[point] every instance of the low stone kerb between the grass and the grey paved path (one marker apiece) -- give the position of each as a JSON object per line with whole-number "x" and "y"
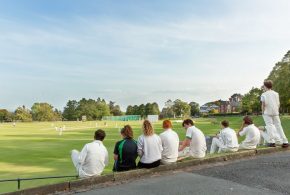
{"x": 123, "y": 176}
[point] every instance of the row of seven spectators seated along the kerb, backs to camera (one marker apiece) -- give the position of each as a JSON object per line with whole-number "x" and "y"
{"x": 165, "y": 149}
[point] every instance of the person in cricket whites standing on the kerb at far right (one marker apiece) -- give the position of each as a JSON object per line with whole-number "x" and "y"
{"x": 270, "y": 109}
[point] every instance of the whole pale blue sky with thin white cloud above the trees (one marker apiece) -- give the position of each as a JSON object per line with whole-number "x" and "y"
{"x": 134, "y": 52}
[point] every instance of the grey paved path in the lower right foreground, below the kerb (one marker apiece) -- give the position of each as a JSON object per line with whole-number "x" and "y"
{"x": 269, "y": 174}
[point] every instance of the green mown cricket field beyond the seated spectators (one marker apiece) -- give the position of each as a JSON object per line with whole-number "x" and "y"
{"x": 36, "y": 149}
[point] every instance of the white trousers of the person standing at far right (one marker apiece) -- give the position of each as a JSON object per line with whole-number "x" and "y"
{"x": 274, "y": 128}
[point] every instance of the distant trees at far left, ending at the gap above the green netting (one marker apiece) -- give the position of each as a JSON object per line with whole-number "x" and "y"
{"x": 74, "y": 110}
